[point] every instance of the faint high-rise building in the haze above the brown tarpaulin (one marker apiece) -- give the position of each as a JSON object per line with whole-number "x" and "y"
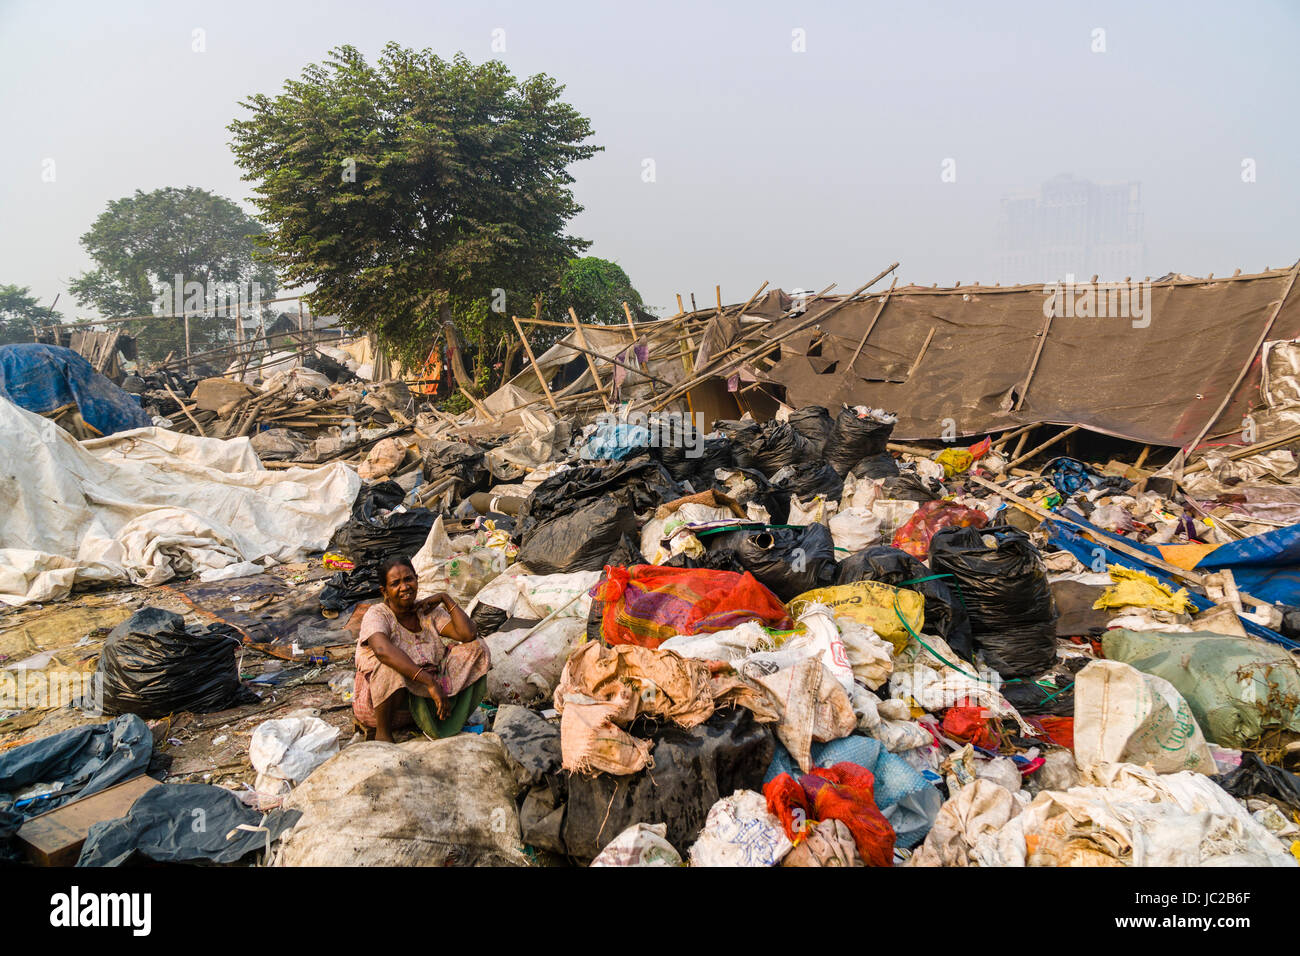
{"x": 1072, "y": 227}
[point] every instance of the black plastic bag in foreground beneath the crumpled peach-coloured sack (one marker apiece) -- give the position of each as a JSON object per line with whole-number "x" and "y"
{"x": 578, "y": 815}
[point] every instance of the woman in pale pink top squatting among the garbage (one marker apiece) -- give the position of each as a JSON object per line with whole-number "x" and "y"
{"x": 405, "y": 672}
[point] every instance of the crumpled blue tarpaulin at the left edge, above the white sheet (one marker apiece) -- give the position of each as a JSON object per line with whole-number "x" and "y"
{"x": 44, "y": 378}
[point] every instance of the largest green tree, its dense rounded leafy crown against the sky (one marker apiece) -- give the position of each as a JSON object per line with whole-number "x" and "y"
{"x": 410, "y": 192}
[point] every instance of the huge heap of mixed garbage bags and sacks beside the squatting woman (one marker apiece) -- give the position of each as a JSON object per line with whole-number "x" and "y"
{"x": 787, "y": 643}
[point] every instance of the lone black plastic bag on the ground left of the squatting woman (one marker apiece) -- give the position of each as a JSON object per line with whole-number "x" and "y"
{"x": 153, "y": 667}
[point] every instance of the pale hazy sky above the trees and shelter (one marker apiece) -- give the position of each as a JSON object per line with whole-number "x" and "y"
{"x": 799, "y": 168}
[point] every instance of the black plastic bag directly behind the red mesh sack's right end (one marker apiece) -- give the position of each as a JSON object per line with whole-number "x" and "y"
{"x": 786, "y": 561}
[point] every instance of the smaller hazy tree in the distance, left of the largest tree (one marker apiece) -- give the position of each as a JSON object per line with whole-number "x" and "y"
{"x": 142, "y": 243}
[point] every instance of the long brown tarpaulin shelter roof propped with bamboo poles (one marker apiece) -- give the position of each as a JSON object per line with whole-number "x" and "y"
{"x": 1158, "y": 384}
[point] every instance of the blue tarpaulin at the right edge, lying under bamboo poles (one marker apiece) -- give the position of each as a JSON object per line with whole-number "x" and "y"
{"x": 1280, "y": 581}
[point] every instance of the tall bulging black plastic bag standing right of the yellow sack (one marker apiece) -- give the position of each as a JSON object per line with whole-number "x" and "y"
{"x": 1006, "y": 591}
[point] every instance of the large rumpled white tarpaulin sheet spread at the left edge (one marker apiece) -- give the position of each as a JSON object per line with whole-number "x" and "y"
{"x": 148, "y": 505}
